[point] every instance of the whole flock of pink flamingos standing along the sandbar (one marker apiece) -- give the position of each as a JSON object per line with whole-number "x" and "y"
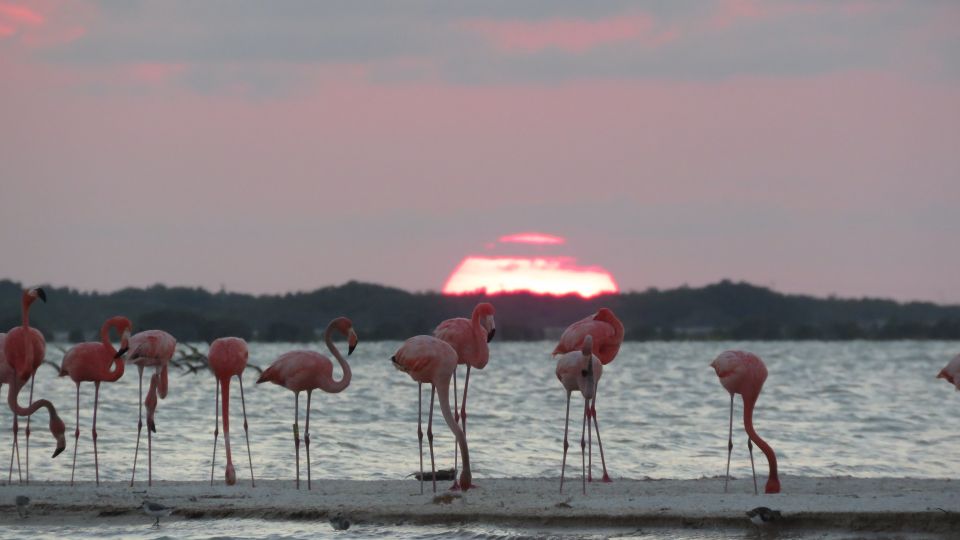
{"x": 585, "y": 347}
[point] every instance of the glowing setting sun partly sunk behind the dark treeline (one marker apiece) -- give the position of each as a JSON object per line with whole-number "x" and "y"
{"x": 538, "y": 274}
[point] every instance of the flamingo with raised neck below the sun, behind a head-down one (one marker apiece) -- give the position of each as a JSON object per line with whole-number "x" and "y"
{"x": 469, "y": 337}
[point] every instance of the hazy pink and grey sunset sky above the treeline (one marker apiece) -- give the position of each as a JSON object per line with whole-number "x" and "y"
{"x": 813, "y": 147}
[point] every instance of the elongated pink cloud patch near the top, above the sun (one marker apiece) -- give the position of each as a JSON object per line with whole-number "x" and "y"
{"x": 570, "y": 35}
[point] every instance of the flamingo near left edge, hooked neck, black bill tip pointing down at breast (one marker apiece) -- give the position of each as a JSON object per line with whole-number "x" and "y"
{"x": 95, "y": 362}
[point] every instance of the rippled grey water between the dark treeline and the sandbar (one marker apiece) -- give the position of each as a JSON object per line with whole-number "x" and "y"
{"x": 854, "y": 408}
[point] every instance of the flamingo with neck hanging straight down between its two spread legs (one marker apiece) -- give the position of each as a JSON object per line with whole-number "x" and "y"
{"x": 228, "y": 358}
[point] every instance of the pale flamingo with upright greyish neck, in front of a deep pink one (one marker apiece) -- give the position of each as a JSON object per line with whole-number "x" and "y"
{"x": 579, "y": 370}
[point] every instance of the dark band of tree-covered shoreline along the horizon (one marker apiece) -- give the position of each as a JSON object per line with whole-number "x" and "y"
{"x": 721, "y": 311}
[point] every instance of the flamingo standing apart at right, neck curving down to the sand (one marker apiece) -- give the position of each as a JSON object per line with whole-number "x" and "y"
{"x": 744, "y": 373}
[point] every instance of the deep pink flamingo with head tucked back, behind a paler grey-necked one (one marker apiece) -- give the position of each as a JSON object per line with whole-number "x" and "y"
{"x": 607, "y": 332}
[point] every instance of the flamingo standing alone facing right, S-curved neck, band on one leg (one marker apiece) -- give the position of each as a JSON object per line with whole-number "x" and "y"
{"x": 309, "y": 370}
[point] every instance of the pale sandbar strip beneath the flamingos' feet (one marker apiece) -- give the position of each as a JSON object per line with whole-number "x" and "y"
{"x": 855, "y": 504}
